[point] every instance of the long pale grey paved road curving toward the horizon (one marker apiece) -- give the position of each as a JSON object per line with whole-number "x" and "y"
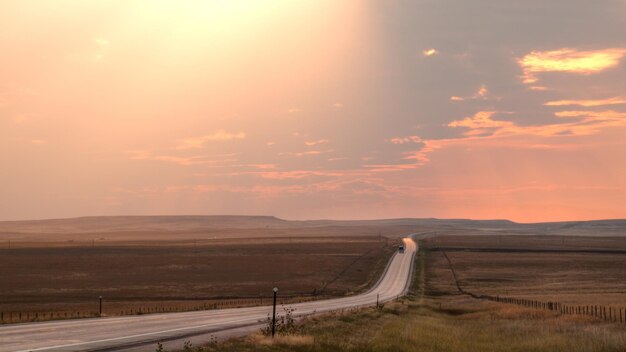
{"x": 121, "y": 333}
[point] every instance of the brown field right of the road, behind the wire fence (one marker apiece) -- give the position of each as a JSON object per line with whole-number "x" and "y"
{"x": 570, "y": 270}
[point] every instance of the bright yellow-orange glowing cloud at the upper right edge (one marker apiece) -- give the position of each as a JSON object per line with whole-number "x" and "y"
{"x": 569, "y": 60}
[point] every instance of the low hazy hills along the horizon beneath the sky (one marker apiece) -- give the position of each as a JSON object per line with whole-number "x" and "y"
{"x": 110, "y": 224}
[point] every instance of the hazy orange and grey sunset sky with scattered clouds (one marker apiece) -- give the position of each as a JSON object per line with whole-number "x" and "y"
{"x": 485, "y": 109}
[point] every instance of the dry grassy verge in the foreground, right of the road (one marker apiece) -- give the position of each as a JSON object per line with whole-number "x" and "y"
{"x": 436, "y": 317}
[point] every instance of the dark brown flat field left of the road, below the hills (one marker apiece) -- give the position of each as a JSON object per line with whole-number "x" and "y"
{"x": 188, "y": 274}
